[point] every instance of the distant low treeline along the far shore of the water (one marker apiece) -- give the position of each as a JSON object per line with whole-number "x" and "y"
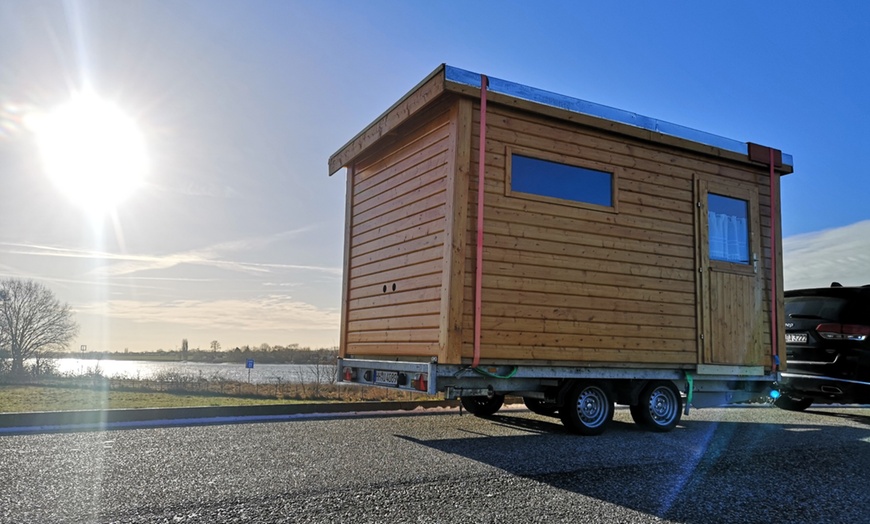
{"x": 264, "y": 354}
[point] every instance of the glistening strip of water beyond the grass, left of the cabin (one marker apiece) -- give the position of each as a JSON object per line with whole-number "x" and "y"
{"x": 150, "y": 370}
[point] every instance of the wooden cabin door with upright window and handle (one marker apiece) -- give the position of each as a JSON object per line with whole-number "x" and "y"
{"x": 731, "y": 285}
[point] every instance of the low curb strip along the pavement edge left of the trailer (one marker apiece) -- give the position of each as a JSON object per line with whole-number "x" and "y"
{"x": 60, "y": 419}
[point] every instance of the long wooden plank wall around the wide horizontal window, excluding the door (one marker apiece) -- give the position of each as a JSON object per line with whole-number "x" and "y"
{"x": 564, "y": 283}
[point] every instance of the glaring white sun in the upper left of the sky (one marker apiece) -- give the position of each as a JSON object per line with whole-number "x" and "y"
{"x": 93, "y": 152}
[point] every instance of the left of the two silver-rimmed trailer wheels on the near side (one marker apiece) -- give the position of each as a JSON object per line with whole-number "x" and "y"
{"x": 588, "y": 408}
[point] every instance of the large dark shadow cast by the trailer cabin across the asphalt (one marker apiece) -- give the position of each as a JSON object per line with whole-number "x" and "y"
{"x": 701, "y": 472}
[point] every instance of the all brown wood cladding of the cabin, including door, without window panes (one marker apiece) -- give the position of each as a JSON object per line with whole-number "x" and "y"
{"x": 626, "y": 284}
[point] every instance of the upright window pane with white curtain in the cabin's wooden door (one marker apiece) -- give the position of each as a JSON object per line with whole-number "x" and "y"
{"x": 728, "y": 224}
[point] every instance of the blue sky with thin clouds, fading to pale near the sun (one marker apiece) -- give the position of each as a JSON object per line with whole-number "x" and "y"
{"x": 236, "y": 232}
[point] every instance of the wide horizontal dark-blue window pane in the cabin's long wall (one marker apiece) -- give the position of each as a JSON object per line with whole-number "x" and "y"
{"x": 551, "y": 179}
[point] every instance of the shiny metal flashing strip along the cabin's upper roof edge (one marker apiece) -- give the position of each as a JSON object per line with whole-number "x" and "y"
{"x": 539, "y": 96}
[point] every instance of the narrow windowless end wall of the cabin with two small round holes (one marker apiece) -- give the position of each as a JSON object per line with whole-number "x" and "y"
{"x": 396, "y": 224}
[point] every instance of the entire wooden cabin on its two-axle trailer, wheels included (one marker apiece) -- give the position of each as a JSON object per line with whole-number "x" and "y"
{"x": 501, "y": 239}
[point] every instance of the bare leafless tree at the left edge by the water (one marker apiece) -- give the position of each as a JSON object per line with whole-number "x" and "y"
{"x": 32, "y": 320}
